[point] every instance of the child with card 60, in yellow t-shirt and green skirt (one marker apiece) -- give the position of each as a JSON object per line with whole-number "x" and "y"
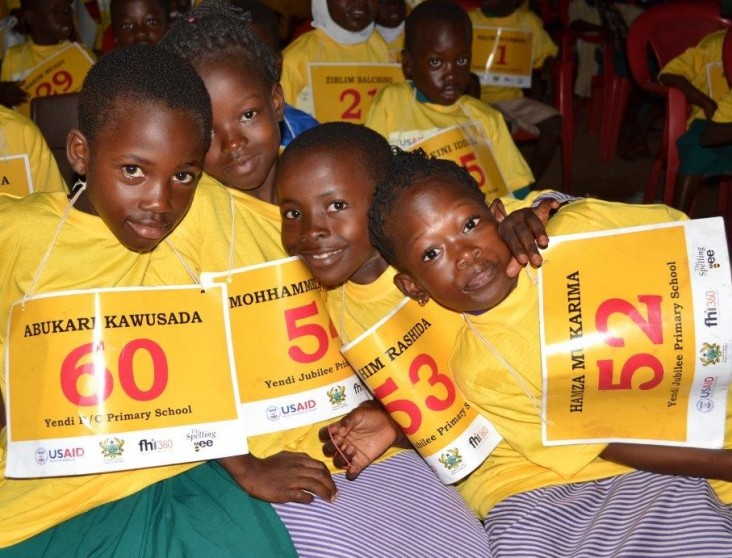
{"x": 144, "y": 127}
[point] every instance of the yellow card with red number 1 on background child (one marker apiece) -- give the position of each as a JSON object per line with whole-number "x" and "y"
{"x": 502, "y": 57}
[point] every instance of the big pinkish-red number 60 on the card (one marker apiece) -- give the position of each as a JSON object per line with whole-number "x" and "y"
{"x": 71, "y": 371}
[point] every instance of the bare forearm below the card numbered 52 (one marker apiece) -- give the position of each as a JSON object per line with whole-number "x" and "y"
{"x": 670, "y": 460}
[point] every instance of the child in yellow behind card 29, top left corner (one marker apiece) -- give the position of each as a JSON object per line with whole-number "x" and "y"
{"x": 50, "y": 24}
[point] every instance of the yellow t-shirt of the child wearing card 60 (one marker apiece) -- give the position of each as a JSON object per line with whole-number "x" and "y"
{"x": 85, "y": 255}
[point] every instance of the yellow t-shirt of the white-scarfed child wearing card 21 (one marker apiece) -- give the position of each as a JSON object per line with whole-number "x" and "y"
{"x": 317, "y": 46}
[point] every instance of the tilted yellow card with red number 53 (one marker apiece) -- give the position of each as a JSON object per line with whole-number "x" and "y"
{"x": 403, "y": 360}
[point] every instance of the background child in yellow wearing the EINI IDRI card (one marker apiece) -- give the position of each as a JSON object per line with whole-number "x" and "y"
{"x": 436, "y": 60}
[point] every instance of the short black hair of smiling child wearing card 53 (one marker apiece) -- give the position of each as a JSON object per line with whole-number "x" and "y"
{"x": 374, "y": 152}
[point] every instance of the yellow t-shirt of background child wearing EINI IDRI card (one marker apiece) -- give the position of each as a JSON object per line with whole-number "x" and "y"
{"x": 402, "y": 120}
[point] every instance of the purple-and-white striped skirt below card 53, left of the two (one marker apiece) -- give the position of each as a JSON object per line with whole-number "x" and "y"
{"x": 396, "y": 508}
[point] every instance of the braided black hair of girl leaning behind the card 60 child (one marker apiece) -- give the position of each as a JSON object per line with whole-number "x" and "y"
{"x": 215, "y": 31}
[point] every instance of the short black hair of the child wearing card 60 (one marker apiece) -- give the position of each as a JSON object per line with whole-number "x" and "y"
{"x": 141, "y": 73}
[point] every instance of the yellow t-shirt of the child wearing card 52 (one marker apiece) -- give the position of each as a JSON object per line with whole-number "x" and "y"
{"x": 521, "y": 462}
